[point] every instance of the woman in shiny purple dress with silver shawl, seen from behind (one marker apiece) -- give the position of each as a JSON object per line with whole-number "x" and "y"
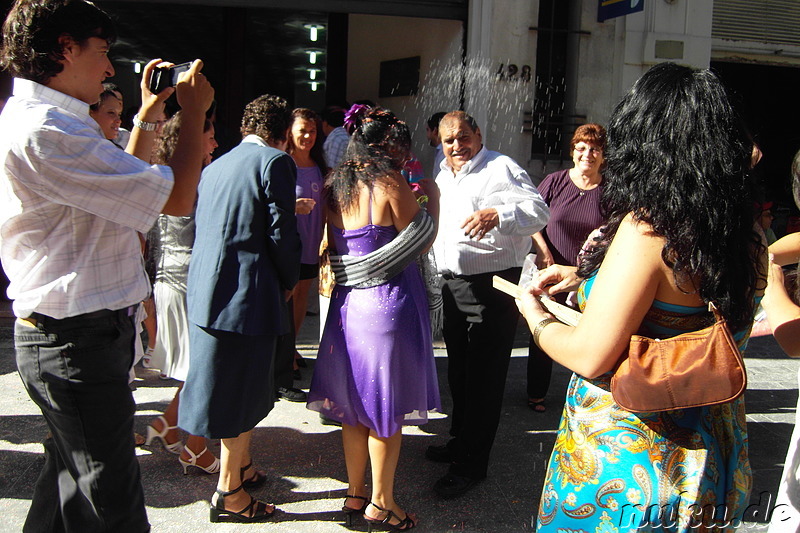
{"x": 375, "y": 369}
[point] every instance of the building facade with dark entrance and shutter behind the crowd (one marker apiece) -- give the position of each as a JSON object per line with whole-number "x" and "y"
{"x": 530, "y": 71}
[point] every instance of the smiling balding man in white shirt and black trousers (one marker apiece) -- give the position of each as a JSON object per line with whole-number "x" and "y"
{"x": 490, "y": 208}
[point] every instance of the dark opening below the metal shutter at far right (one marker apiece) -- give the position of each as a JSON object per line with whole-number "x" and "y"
{"x": 766, "y": 96}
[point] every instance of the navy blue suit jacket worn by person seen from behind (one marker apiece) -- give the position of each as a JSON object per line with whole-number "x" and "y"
{"x": 247, "y": 249}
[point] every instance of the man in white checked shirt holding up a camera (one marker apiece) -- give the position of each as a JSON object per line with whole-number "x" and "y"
{"x": 72, "y": 204}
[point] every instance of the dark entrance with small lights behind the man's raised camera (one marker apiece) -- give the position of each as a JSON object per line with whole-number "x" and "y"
{"x": 247, "y": 52}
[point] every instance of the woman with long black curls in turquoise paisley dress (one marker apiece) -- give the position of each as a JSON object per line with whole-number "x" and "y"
{"x": 680, "y": 234}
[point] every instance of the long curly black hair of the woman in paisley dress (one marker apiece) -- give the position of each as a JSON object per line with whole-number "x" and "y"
{"x": 679, "y": 159}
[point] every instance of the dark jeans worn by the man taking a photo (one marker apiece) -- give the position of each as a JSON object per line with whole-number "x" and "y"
{"x": 76, "y": 370}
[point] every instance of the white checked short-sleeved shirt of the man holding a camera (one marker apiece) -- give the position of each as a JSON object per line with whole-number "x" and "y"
{"x": 70, "y": 206}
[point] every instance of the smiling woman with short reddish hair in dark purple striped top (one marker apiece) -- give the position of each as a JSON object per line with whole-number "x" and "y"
{"x": 573, "y": 196}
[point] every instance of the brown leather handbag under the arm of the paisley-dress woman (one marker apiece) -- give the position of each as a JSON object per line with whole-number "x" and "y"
{"x": 690, "y": 370}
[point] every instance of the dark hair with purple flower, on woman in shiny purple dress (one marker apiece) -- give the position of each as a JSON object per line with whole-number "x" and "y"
{"x": 379, "y": 147}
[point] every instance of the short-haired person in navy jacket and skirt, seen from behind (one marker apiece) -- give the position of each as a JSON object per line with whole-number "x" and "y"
{"x": 246, "y": 259}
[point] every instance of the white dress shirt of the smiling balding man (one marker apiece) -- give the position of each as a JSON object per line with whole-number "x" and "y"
{"x": 487, "y": 180}
